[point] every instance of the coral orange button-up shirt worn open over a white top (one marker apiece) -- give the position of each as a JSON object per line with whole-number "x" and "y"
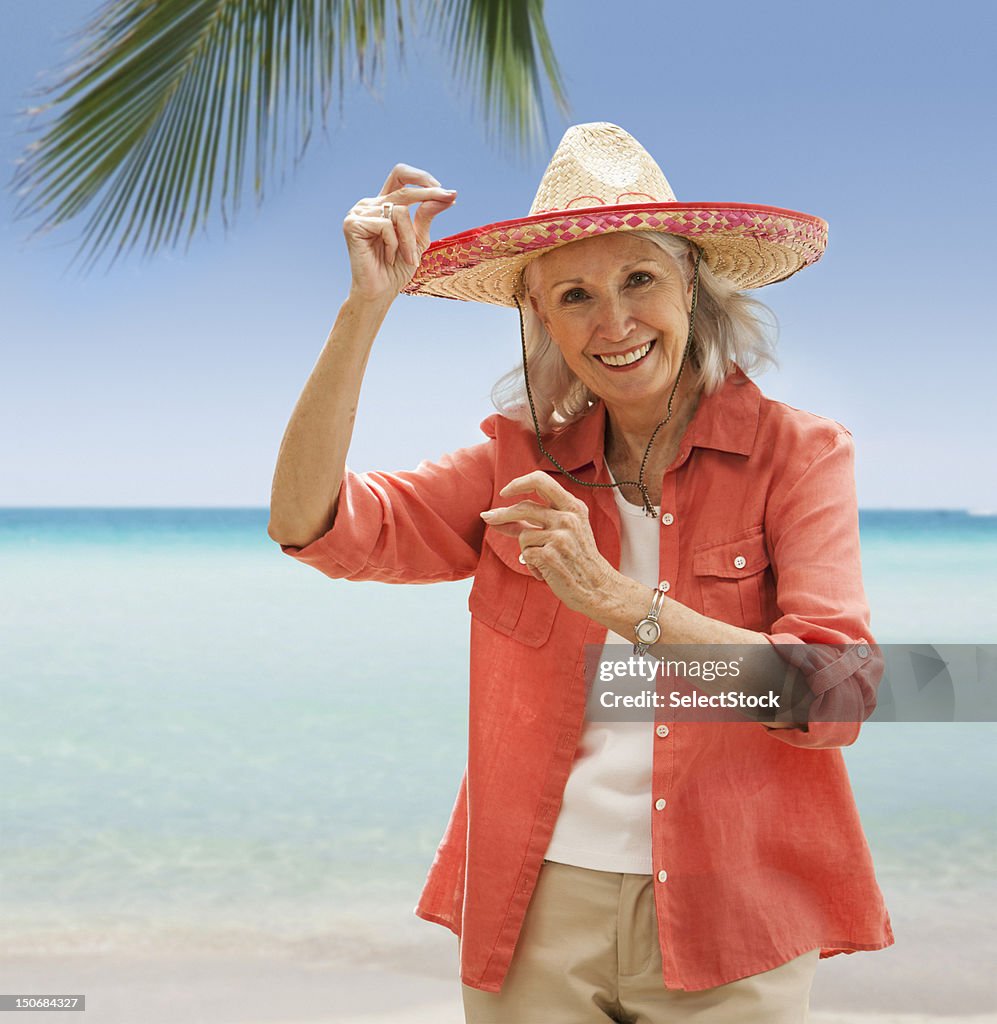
{"x": 759, "y": 854}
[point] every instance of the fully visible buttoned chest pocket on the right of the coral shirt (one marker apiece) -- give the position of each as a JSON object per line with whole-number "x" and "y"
{"x": 734, "y": 579}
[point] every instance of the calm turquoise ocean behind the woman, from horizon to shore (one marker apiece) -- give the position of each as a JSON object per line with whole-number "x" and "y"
{"x": 206, "y": 743}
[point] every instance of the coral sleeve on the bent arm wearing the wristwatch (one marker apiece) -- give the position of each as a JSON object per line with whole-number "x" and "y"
{"x": 823, "y": 630}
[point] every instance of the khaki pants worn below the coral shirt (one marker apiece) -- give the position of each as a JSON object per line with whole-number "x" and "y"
{"x": 589, "y": 953}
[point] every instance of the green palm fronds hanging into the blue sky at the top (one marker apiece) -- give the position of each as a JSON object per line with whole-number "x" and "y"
{"x": 154, "y": 124}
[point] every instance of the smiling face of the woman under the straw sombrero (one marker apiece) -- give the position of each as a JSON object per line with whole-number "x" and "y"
{"x": 618, "y": 308}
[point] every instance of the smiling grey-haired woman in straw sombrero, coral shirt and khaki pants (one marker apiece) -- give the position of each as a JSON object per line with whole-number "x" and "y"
{"x": 636, "y": 488}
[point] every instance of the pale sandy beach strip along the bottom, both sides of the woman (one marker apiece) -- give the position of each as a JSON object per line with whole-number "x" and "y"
{"x": 325, "y": 984}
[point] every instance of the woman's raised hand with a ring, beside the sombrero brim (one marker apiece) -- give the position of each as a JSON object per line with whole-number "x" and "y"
{"x": 385, "y": 253}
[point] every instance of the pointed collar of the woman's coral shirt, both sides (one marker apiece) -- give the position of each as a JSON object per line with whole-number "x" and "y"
{"x": 726, "y": 420}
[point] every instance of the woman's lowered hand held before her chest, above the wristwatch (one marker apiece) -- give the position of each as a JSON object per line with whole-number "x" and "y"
{"x": 556, "y": 539}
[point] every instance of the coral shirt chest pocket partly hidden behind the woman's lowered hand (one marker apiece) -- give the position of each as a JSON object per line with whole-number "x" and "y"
{"x": 508, "y": 598}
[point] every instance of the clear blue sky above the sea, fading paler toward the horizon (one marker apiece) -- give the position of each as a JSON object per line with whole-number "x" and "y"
{"x": 169, "y": 381}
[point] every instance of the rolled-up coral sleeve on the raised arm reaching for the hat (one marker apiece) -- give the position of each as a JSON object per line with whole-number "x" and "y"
{"x": 413, "y": 527}
